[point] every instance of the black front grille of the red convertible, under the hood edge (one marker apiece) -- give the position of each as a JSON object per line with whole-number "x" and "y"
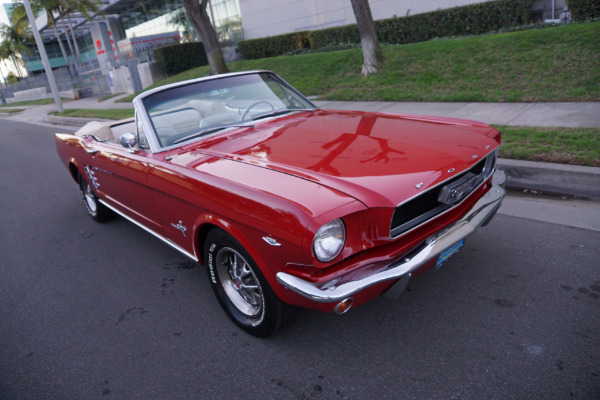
{"x": 422, "y": 208}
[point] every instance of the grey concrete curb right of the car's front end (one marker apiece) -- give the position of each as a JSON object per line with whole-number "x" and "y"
{"x": 562, "y": 179}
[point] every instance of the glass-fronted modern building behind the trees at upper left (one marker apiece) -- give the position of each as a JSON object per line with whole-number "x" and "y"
{"x": 128, "y": 19}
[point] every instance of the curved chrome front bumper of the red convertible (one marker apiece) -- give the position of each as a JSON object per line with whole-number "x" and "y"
{"x": 340, "y": 289}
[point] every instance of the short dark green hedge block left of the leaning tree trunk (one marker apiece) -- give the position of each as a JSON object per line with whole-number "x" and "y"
{"x": 177, "y": 58}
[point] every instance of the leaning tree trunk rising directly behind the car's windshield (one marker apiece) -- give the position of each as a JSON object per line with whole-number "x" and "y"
{"x": 196, "y": 12}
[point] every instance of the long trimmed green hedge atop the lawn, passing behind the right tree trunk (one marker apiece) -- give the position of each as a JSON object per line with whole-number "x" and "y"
{"x": 466, "y": 20}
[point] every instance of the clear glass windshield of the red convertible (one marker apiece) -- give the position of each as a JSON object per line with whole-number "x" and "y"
{"x": 198, "y": 109}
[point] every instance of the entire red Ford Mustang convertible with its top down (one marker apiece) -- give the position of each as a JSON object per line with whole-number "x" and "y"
{"x": 287, "y": 204}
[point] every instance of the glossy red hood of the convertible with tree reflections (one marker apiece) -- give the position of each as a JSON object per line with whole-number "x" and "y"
{"x": 379, "y": 159}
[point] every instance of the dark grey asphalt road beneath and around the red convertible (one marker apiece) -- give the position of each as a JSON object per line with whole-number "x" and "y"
{"x": 105, "y": 311}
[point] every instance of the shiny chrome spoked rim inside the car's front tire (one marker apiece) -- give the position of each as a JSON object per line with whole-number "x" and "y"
{"x": 239, "y": 282}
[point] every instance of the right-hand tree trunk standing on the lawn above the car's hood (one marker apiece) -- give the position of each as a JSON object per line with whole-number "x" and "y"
{"x": 372, "y": 55}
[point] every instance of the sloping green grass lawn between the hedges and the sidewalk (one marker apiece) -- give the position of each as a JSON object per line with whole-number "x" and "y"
{"x": 553, "y": 64}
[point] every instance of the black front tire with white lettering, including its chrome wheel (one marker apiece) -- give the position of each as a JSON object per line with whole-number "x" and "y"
{"x": 241, "y": 288}
